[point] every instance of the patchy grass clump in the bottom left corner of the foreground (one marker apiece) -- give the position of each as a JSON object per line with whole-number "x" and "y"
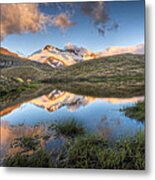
{"x": 31, "y": 154}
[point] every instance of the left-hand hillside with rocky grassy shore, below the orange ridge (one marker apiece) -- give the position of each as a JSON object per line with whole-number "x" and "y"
{"x": 18, "y": 74}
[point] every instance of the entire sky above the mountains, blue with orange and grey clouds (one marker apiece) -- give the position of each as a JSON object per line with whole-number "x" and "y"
{"x": 96, "y": 26}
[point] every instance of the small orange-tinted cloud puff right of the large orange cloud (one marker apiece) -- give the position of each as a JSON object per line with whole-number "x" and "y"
{"x": 62, "y": 21}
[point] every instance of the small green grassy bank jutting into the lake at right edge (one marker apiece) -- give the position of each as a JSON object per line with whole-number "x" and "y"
{"x": 136, "y": 112}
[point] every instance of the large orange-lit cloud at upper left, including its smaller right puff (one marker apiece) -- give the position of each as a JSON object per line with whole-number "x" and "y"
{"x": 24, "y": 18}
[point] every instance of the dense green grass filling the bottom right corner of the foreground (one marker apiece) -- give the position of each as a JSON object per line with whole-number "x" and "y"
{"x": 94, "y": 152}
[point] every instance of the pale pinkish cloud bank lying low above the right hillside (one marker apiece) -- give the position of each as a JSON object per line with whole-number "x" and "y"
{"x": 136, "y": 49}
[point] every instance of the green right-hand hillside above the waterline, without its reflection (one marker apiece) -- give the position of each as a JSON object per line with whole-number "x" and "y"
{"x": 125, "y": 66}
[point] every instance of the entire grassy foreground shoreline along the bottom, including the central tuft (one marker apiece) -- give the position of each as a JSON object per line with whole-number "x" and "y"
{"x": 80, "y": 150}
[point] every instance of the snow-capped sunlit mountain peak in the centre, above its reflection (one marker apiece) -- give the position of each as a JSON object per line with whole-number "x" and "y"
{"x": 57, "y": 58}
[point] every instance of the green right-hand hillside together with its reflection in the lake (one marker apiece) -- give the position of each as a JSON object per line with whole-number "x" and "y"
{"x": 120, "y": 75}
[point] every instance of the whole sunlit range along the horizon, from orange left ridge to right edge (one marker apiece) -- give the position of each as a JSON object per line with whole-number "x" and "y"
{"x": 71, "y": 54}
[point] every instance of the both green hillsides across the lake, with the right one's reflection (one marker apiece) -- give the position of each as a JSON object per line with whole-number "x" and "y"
{"x": 114, "y": 76}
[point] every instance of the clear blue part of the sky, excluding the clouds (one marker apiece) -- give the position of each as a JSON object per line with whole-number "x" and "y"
{"x": 129, "y": 15}
